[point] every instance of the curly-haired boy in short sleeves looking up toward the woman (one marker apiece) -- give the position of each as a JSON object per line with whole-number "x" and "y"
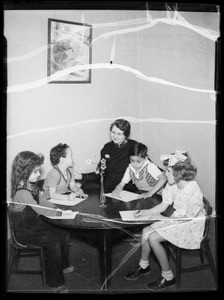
{"x": 60, "y": 183}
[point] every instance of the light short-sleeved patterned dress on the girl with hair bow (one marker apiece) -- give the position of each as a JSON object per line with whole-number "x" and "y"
{"x": 188, "y": 203}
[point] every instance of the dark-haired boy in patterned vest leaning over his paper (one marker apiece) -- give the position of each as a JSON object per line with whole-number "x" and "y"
{"x": 143, "y": 173}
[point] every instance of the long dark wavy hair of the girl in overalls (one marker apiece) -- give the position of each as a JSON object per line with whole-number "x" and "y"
{"x": 23, "y": 165}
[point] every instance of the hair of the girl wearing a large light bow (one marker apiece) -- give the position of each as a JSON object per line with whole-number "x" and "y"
{"x": 183, "y": 170}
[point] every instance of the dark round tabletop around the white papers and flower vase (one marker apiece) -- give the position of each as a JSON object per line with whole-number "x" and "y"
{"x": 92, "y": 216}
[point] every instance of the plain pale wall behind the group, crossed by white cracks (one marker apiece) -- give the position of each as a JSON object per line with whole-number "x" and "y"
{"x": 167, "y": 93}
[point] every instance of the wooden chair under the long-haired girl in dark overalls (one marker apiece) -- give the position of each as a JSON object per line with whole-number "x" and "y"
{"x": 18, "y": 251}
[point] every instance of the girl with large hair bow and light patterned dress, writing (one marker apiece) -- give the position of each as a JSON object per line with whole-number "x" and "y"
{"x": 186, "y": 195}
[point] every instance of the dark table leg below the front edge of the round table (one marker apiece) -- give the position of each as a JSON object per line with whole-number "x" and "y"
{"x": 105, "y": 256}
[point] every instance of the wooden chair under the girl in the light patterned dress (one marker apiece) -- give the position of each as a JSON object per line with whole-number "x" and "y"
{"x": 204, "y": 251}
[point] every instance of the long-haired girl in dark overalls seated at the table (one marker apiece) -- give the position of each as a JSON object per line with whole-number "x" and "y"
{"x": 30, "y": 227}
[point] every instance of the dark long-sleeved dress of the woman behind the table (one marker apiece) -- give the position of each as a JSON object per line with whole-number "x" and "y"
{"x": 117, "y": 160}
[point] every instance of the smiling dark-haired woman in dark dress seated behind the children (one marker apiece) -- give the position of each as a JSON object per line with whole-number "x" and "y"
{"x": 116, "y": 154}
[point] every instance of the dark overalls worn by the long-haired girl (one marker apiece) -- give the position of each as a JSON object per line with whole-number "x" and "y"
{"x": 30, "y": 228}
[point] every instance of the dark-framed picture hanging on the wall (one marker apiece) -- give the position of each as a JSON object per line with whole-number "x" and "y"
{"x": 69, "y": 52}
